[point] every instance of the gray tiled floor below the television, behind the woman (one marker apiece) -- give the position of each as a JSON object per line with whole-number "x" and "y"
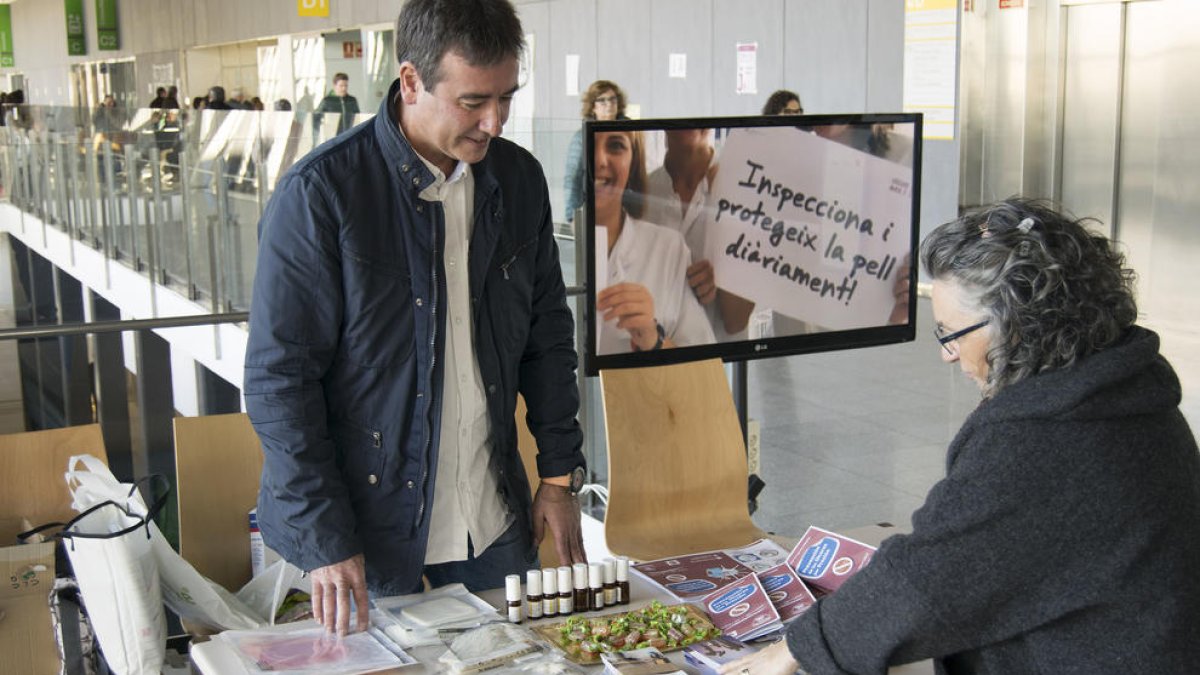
{"x": 851, "y": 439}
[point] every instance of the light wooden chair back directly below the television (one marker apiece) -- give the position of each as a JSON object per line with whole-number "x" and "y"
{"x": 677, "y": 464}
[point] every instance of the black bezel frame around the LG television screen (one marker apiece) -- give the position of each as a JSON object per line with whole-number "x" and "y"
{"x": 747, "y": 350}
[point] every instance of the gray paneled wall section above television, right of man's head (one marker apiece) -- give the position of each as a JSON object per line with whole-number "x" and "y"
{"x": 839, "y": 56}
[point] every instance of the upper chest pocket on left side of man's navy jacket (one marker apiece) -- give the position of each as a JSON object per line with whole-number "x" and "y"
{"x": 377, "y": 324}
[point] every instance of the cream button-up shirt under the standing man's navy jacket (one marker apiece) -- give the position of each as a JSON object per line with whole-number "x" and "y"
{"x": 466, "y": 494}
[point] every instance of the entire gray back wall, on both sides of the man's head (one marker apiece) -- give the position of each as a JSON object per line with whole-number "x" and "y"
{"x": 841, "y": 56}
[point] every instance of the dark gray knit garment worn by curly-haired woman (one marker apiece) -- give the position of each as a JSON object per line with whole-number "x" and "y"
{"x": 1065, "y": 539}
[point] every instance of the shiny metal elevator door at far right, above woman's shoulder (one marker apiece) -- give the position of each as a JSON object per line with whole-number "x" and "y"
{"x": 1129, "y": 153}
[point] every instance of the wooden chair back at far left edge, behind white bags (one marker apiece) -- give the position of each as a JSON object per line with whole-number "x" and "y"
{"x": 33, "y": 465}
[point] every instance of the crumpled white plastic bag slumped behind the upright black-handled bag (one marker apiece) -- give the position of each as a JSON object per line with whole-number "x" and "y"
{"x": 188, "y": 593}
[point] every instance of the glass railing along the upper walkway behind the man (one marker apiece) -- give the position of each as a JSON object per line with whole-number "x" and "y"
{"x": 177, "y": 195}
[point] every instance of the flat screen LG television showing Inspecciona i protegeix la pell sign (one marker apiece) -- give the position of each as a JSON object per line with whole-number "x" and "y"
{"x": 752, "y": 237}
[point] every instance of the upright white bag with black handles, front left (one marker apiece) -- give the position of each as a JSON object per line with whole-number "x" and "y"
{"x": 111, "y": 553}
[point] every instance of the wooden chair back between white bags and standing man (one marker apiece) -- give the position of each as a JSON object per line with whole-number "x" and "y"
{"x": 219, "y": 462}
